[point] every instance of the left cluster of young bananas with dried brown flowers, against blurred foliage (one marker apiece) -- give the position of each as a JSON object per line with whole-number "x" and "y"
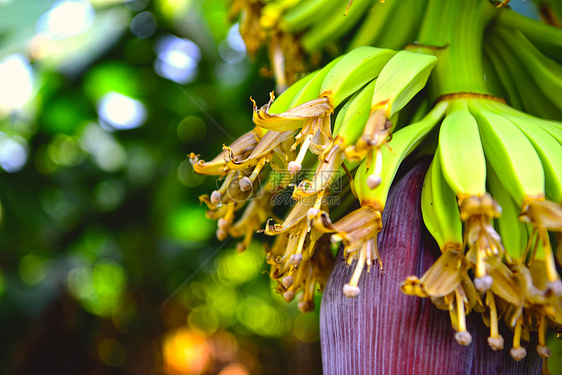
{"x": 371, "y": 85}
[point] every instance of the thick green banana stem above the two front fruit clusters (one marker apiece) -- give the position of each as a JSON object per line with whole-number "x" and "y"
{"x": 453, "y": 31}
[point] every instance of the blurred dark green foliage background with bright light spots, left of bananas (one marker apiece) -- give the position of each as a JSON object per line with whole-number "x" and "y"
{"x": 107, "y": 262}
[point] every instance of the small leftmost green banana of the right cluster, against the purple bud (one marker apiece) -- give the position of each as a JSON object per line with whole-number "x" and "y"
{"x": 440, "y": 210}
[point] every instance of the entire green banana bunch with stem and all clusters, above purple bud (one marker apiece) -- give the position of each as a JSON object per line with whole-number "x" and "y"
{"x": 479, "y": 93}
